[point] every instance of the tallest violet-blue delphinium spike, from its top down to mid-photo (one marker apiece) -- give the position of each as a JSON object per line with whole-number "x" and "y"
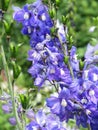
{"x": 46, "y": 53}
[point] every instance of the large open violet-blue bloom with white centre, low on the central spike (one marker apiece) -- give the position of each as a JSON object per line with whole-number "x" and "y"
{"x": 61, "y": 105}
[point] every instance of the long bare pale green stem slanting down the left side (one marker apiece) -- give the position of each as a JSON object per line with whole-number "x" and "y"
{"x": 10, "y": 87}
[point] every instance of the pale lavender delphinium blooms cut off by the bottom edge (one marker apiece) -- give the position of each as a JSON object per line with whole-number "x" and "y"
{"x": 42, "y": 121}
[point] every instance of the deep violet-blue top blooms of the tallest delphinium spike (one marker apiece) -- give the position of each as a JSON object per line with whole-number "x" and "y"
{"x": 35, "y": 20}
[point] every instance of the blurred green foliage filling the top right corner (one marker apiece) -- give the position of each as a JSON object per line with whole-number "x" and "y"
{"x": 82, "y": 15}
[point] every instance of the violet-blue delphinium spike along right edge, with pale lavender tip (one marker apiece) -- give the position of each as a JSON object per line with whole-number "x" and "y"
{"x": 87, "y": 96}
